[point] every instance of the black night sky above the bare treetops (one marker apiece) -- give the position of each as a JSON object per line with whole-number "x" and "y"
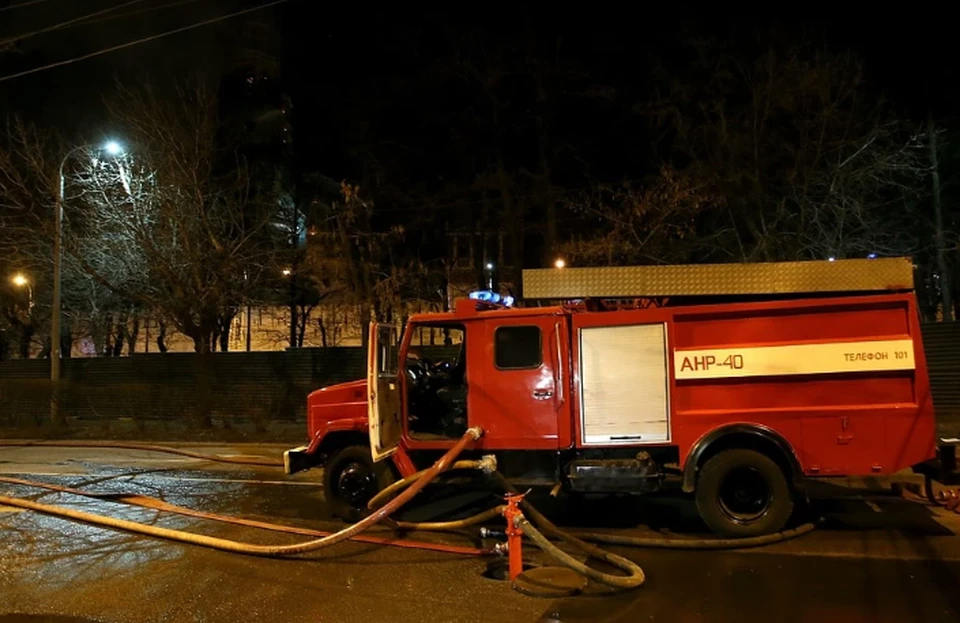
{"x": 338, "y": 58}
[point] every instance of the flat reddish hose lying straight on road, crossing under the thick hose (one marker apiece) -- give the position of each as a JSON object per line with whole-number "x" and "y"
{"x": 145, "y": 501}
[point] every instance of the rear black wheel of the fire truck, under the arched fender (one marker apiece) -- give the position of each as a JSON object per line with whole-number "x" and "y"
{"x": 743, "y": 493}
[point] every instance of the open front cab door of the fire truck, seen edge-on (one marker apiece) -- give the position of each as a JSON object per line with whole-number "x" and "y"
{"x": 383, "y": 390}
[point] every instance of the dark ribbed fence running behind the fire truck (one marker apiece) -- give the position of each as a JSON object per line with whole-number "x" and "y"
{"x": 261, "y": 387}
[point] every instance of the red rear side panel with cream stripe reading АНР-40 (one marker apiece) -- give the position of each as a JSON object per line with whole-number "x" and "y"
{"x": 852, "y": 417}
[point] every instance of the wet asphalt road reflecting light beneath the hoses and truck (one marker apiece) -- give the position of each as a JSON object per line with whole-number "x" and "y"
{"x": 879, "y": 557}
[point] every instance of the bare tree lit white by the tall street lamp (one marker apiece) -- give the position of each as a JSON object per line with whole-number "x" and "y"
{"x": 173, "y": 226}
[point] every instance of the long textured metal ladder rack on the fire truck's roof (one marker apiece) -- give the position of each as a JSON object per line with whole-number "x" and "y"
{"x": 696, "y": 280}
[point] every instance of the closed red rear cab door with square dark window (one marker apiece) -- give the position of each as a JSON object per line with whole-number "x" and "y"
{"x": 521, "y": 401}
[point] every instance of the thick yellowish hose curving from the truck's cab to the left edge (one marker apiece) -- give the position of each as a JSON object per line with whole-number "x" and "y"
{"x": 253, "y": 549}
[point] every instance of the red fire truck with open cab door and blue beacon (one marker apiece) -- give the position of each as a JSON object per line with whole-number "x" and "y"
{"x": 736, "y": 381}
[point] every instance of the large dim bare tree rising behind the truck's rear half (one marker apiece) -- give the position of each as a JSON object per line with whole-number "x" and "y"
{"x": 811, "y": 164}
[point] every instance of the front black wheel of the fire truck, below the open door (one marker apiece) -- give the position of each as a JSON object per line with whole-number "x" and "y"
{"x": 351, "y": 479}
